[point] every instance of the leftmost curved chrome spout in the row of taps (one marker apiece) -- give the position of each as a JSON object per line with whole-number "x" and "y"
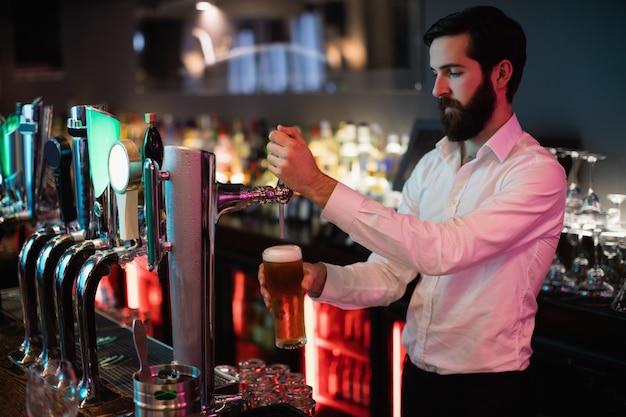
{"x": 30, "y": 348}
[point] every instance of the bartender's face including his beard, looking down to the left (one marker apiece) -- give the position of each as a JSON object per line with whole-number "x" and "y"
{"x": 466, "y": 97}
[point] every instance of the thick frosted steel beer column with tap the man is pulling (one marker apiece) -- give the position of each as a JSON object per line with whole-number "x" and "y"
{"x": 189, "y": 176}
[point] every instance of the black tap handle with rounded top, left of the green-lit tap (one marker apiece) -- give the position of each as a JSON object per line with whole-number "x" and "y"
{"x": 58, "y": 153}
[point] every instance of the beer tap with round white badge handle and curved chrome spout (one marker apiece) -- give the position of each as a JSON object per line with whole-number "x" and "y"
{"x": 124, "y": 171}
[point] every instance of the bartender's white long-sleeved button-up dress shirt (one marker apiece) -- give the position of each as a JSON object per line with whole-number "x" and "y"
{"x": 482, "y": 235}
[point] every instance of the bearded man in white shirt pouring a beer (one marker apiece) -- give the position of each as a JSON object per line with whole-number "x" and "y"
{"x": 480, "y": 219}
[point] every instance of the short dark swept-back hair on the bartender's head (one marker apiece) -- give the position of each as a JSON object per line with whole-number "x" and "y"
{"x": 493, "y": 37}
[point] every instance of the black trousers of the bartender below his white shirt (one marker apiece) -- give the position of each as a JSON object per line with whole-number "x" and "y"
{"x": 426, "y": 394}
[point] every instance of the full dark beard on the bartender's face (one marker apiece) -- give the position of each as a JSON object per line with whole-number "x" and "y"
{"x": 466, "y": 121}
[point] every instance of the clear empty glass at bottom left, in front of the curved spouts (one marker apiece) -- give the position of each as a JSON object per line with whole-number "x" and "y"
{"x": 51, "y": 391}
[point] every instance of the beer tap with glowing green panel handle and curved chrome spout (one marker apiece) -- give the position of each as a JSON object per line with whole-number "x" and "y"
{"x": 93, "y": 131}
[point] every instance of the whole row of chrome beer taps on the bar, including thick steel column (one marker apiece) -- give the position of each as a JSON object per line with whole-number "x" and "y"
{"x": 94, "y": 223}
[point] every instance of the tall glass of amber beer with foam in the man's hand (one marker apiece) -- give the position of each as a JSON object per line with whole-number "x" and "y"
{"x": 283, "y": 276}
